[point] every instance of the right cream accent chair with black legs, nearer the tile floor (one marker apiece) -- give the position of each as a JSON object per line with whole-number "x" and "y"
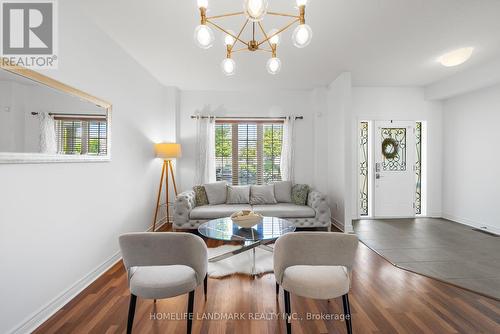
{"x": 315, "y": 265}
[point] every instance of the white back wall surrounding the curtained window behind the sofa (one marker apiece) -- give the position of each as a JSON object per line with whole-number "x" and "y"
{"x": 273, "y": 104}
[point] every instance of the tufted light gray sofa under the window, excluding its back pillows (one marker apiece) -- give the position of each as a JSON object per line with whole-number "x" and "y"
{"x": 315, "y": 214}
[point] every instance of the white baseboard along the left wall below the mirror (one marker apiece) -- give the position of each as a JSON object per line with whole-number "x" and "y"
{"x": 33, "y": 321}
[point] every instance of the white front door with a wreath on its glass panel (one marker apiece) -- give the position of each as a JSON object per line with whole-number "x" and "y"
{"x": 394, "y": 191}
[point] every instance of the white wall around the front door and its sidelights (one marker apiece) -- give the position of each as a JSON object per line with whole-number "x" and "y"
{"x": 386, "y": 103}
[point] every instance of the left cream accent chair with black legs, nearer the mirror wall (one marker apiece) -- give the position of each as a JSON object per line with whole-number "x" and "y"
{"x": 163, "y": 265}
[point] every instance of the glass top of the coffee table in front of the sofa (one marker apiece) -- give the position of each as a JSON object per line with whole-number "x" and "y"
{"x": 224, "y": 229}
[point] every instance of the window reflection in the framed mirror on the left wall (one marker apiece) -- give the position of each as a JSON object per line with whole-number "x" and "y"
{"x": 81, "y": 136}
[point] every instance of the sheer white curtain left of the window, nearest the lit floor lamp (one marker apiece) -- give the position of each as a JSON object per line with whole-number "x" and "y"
{"x": 205, "y": 150}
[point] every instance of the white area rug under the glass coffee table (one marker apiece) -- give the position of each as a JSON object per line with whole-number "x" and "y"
{"x": 239, "y": 264}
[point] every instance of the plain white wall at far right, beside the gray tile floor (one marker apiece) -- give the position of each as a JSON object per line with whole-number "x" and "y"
{"x": 471, "y": 182}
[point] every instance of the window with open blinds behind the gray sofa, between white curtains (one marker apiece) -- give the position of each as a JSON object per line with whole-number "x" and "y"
{"x": 248, "y": 152}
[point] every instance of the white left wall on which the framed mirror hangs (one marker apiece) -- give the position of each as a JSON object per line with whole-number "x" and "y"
{"x": 54, "y": 235}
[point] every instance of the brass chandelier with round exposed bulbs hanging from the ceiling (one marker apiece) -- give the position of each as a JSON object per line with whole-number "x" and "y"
{"x": 254, "y": 12}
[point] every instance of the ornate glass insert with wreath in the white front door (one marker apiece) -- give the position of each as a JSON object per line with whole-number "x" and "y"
{"x": 393, "y": 149}
